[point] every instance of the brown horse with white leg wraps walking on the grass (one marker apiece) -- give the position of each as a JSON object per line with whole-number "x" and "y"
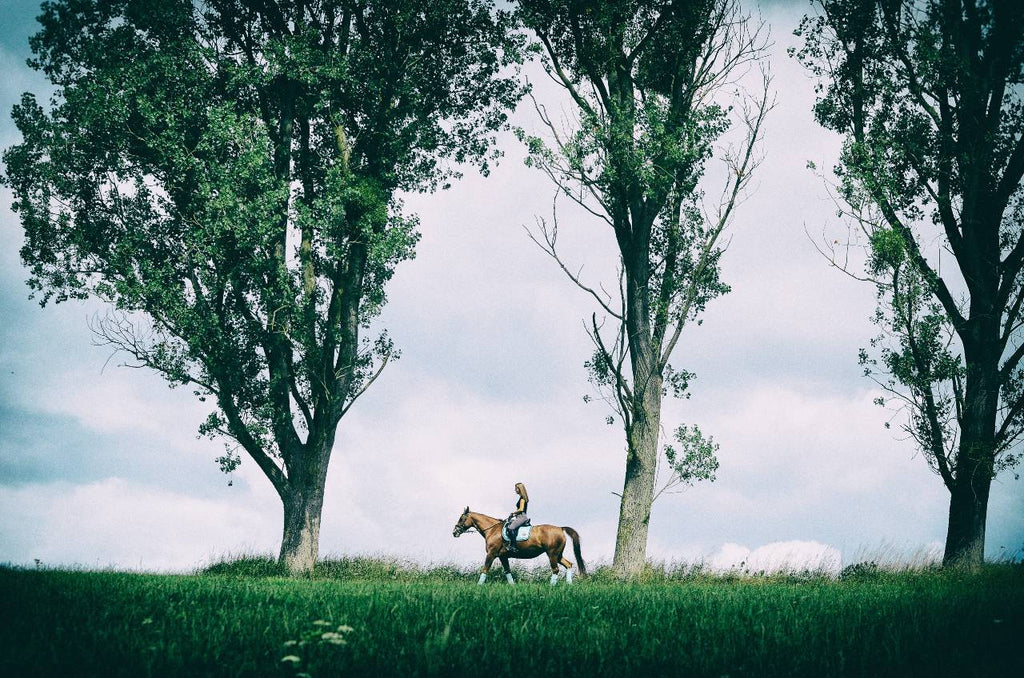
{"x": 543, "y": 539}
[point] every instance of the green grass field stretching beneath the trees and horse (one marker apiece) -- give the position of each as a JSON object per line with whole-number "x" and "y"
{"x": 243, "y": 620}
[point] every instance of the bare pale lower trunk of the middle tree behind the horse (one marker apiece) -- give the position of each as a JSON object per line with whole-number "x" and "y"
{"x": 638, "y": 490}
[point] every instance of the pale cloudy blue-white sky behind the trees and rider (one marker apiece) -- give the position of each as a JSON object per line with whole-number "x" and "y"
{"x": 101, "y": 465}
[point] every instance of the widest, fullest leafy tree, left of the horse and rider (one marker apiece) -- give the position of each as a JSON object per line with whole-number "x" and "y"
{"x": 226, "y": 175}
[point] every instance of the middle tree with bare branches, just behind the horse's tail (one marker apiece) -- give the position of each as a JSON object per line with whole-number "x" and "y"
{"x": 649, "y": 81}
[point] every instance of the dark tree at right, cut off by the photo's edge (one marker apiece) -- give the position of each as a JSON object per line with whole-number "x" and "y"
{"x": 928, "y": 95}
